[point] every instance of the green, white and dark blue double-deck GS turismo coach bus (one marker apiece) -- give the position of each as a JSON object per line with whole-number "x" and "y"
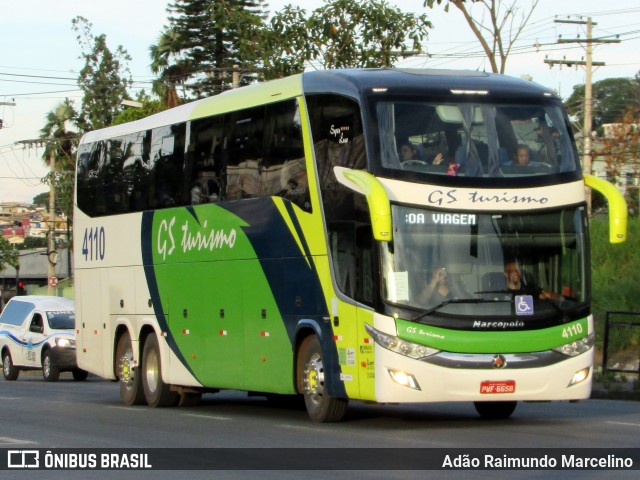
{"x": 383, "y": 235}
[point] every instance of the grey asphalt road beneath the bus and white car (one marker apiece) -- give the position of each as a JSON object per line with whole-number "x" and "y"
{"x": 68, "y": 414}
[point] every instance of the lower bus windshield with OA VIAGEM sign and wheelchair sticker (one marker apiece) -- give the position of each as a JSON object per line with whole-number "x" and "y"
{"x": 470, "y": 263}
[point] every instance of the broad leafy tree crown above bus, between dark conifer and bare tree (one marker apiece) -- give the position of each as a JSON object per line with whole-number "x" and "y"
{"x": 342, "y": 34}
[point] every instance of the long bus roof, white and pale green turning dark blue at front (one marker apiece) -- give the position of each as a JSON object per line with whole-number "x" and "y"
{"x": 349, "y": 82}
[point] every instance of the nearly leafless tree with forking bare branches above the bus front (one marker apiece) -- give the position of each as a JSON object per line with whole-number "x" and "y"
{"x": 497, "y": 28}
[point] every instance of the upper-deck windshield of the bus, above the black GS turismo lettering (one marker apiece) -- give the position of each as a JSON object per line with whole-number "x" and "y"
{"x": 473, "y": 139}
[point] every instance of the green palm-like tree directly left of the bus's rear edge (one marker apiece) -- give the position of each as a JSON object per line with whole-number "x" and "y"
{"x": 60, "y": 145}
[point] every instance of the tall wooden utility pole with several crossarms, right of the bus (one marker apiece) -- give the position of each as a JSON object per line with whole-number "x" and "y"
{"x": 588, "y": 96}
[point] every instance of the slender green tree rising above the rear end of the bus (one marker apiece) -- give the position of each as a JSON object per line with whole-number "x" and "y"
{"x": 104, "y": 79}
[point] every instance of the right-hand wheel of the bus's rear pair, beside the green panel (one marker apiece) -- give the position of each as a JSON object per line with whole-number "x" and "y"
{"x": 157, "y": 393}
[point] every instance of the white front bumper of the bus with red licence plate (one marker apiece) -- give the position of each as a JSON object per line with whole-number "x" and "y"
{"x": 472, "y": 377}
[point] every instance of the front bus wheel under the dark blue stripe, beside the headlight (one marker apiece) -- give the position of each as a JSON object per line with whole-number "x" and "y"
{"x": 321, "y": 406}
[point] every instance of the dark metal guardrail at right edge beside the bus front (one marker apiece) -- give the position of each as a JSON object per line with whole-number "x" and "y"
{"x": 621, "y": 342}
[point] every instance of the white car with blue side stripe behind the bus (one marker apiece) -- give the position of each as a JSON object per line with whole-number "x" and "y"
{"x": 37, "y": 332}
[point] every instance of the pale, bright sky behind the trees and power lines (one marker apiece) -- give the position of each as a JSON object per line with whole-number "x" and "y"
{"x": 38, "y": 43}
